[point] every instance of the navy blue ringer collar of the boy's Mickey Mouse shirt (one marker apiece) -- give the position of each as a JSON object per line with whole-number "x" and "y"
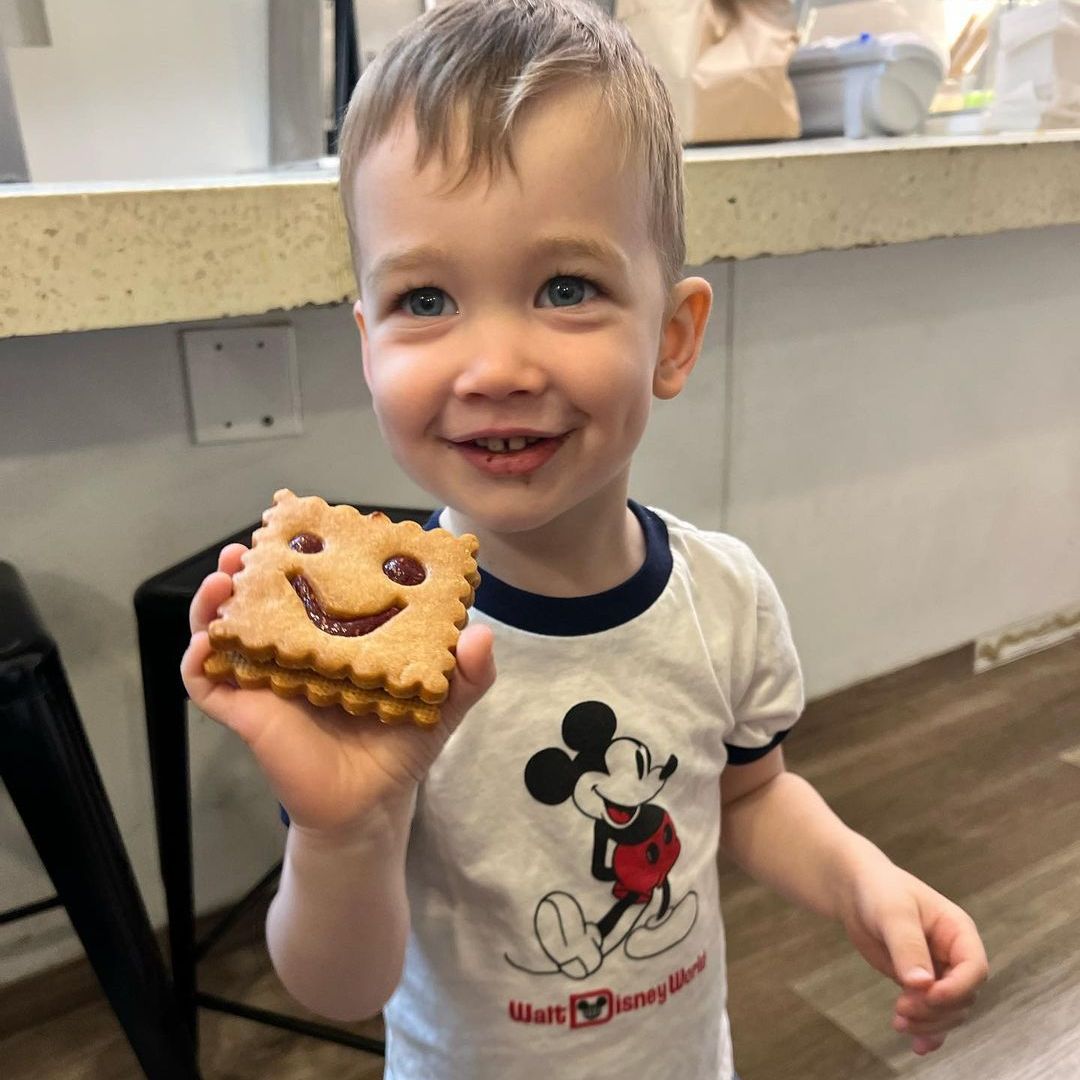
{"x": 575, "y": 616}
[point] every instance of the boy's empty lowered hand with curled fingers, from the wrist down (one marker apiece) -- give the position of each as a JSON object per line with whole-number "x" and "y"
{"x": 926, "y": 943}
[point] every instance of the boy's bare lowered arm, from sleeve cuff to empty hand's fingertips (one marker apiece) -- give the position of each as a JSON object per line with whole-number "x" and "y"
{"x": 778, "y": 829}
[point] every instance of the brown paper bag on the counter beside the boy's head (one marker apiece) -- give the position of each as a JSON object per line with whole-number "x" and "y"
{"x": 725, "y": 64}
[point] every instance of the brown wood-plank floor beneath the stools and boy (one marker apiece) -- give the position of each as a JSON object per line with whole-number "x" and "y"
{"x": 973, "y": 784}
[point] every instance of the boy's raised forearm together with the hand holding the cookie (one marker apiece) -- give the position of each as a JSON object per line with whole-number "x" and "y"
{"x": 337, "y": 928}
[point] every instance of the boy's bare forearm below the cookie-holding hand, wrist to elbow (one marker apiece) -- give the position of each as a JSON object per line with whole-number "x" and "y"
{"x": 337, "y": 927}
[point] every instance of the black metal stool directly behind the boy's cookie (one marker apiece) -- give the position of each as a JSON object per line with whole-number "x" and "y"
{"x": 161, "y": 609}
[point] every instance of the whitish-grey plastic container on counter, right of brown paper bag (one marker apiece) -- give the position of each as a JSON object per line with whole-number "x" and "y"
{"x": 867, "y": 86}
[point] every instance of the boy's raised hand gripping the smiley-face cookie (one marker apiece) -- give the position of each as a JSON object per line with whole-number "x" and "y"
{"x": 329, "y": 768}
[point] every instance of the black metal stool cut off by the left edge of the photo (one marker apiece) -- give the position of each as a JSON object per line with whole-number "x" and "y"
{"x": 49, "y": 769}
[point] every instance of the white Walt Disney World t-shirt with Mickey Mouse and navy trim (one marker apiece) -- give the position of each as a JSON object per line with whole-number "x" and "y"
{"x": 562, "y": 868}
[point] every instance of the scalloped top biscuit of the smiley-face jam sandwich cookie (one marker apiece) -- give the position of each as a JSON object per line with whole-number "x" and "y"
{"x": 353, "y": 598}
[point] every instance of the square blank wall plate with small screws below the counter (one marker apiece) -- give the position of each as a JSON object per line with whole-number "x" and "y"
{"x": 244, "y": 383}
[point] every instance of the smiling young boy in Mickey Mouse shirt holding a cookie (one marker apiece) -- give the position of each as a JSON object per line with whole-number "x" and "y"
{"x": 531, "y": 892}
